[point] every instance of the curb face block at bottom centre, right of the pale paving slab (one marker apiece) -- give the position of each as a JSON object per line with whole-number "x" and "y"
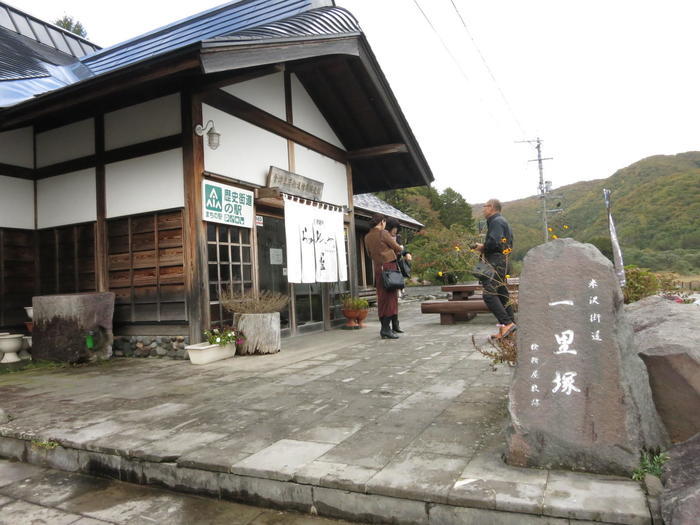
{"x": 367, "y": 508}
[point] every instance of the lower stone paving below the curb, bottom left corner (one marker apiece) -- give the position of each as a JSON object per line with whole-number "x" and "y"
{"x": 36, "y": 495}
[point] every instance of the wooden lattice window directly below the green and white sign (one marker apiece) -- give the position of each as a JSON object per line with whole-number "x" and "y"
{"x": 230, "y": 265}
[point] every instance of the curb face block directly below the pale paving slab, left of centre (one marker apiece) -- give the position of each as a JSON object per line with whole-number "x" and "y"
{"x": 266, "y": 492}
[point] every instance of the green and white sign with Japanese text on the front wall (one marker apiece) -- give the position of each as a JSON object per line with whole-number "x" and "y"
{"x": 227, "y": 204}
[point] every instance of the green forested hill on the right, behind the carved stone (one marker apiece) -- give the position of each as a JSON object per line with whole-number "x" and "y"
{"x": 656, "y": 207}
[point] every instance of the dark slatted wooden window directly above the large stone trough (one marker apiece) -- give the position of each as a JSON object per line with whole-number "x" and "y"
{"x": 67, "y": 259}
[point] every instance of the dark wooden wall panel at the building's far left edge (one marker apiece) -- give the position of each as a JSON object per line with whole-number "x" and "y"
{"x": 16, "y": 275}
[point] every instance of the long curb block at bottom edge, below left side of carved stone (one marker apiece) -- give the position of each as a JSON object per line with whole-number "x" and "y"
{"x": 449, "y": 515}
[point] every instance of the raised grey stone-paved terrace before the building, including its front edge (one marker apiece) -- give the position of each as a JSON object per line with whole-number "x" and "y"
{"x": 342, "y": 424}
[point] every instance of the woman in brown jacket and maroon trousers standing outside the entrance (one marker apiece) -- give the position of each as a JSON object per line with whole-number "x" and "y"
{"x": 383, "y": 249}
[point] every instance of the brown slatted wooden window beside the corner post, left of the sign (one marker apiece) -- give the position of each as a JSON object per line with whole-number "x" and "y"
{"x": 146, "y": 267}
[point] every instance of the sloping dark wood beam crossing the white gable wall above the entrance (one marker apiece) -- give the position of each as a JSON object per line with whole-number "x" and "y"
{"x": 245, "y": 111}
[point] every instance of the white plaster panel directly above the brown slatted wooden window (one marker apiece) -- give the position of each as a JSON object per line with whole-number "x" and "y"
{"x": 149, "y": 183}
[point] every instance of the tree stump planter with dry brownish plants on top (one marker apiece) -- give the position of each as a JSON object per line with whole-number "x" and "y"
{"x": 257, "y": 316}
